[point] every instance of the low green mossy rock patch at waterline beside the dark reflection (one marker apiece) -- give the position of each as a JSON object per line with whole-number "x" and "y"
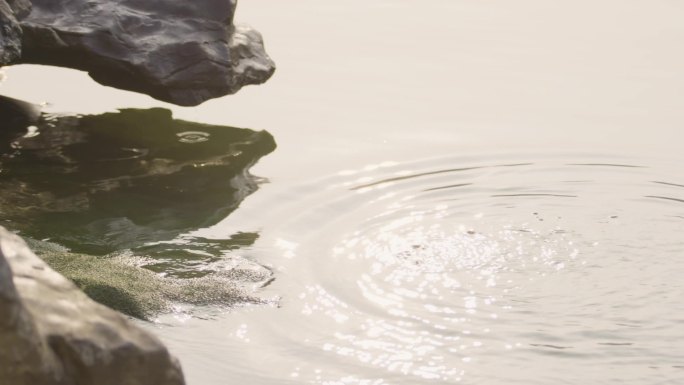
{"x": 121, "y": 282}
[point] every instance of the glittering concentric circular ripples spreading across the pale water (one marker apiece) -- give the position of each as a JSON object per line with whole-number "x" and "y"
{"x": 503, "y": 272}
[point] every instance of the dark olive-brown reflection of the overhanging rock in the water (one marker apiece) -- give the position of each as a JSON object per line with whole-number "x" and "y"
{"x": 100, "y": 183}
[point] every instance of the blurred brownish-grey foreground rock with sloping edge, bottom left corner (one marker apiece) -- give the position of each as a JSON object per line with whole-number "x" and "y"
{"x": 52, "y": 334}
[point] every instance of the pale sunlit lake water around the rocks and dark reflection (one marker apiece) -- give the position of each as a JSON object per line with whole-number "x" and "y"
{"x": 476, "y": 192}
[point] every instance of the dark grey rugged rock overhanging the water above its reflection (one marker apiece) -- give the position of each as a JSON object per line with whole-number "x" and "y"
{"x": 183, "y": 52}
